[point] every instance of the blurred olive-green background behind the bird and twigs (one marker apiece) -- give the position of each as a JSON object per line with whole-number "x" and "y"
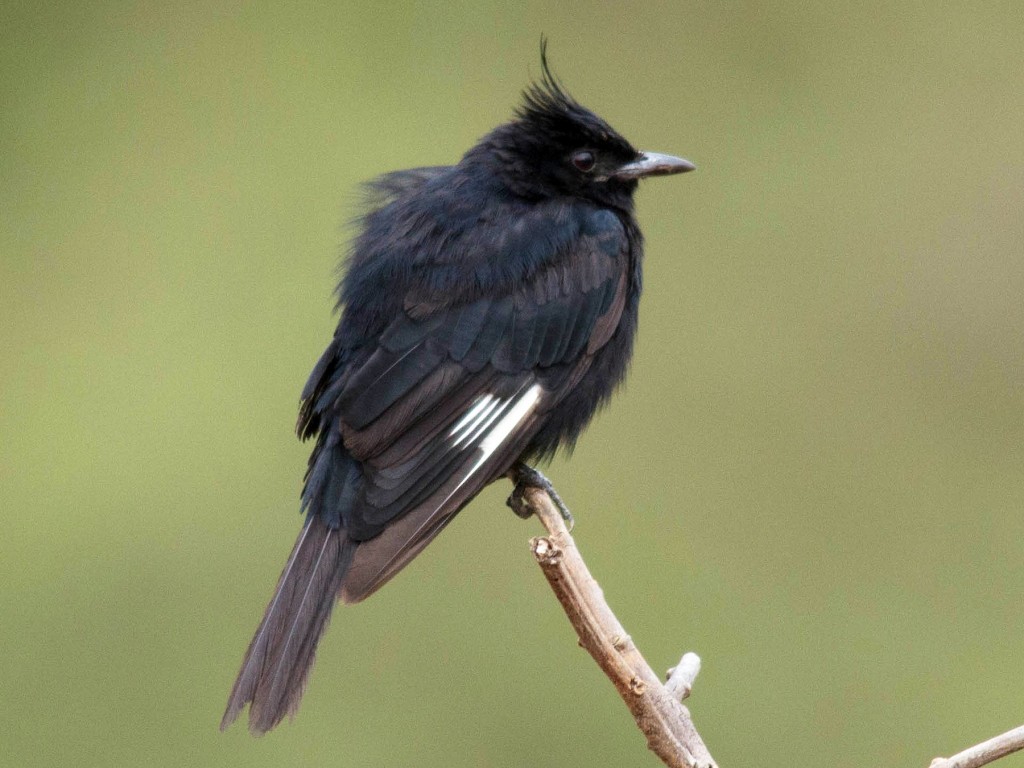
{"x": 815, "y": 480}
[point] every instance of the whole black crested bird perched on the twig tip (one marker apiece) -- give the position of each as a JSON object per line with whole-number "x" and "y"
{"x": 488, "y": 311}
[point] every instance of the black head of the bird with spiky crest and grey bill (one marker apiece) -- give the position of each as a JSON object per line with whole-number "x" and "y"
{"x": 556, "y": 147}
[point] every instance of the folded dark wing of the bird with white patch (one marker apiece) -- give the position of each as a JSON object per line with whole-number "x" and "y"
{"x": 455, "y": 389}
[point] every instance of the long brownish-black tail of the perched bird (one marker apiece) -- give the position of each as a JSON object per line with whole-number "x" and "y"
{"x": 282, "y": 653}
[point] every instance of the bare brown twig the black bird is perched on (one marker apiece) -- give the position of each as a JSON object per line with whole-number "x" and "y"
{"x": 657, "y": 708}
